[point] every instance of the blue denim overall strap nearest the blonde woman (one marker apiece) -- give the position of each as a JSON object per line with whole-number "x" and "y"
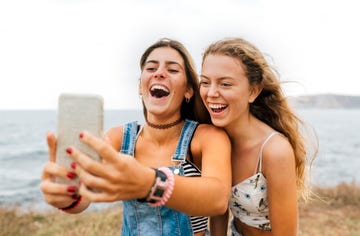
{"x": 187, "y": 133}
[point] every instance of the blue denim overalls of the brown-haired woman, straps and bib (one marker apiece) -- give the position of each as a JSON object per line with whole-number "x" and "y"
{"x": 141, "y": 219}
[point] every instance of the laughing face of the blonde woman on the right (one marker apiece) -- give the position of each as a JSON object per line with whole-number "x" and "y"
{"x": 225, "y": 89}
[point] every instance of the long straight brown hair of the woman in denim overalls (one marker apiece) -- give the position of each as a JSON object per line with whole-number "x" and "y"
{"x": 194, "y": 109}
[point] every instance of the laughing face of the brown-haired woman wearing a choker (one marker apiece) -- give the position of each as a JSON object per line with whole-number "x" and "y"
{"x": 163, "y": 83}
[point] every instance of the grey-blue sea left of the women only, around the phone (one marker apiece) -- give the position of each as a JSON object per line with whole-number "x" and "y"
{"x": 23, "y": 151}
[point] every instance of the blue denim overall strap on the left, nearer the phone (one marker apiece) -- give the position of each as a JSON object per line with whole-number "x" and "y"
{"x": 129, "y": 138}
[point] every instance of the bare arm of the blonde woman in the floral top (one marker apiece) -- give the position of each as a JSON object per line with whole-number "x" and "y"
{"x": 279, "y": 168}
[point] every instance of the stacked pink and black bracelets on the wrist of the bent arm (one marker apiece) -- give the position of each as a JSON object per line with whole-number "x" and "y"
{"x": 163, "y": 187}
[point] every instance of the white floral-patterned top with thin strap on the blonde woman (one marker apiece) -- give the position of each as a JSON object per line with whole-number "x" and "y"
{"x": 249, "y": 201}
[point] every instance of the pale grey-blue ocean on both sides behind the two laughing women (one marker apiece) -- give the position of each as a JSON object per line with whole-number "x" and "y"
{"x": 23, "y": 149}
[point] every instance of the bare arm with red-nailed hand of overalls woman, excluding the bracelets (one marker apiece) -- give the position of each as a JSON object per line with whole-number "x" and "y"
{"x": 121, "y": 177}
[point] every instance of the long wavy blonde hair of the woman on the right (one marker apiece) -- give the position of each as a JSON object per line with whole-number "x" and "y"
{"x": 271, "y": 106}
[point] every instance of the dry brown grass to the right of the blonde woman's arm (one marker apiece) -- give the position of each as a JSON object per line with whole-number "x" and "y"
{"x": 336, "y": 211}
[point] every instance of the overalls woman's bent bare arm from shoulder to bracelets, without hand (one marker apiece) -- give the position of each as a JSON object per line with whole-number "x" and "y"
{"x": 208, "y": 194}
